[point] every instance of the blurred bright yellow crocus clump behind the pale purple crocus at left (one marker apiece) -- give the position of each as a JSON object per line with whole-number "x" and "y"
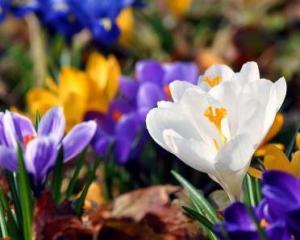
{"x": 78, "y": 91}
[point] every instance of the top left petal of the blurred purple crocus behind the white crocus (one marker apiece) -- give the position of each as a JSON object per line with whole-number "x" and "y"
{"x": 150, "y": 71}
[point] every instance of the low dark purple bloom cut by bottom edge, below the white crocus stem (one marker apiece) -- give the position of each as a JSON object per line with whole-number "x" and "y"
{"x": 239, "y": 224}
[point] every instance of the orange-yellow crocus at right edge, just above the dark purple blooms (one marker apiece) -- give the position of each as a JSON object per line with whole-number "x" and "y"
{"x": 275, "y": 159}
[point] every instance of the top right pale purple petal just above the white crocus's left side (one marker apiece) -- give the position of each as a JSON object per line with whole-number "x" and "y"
{"x": 180, "y": 71}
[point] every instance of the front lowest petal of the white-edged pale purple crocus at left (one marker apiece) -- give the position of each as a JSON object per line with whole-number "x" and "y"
{"x": 40, "y": 156}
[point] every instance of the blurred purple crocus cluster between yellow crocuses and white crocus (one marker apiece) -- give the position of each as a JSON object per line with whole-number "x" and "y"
{"x": 123, "y": 127}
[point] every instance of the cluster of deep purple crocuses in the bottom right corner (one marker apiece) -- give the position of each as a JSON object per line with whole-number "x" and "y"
{"x": 277, "y": 215}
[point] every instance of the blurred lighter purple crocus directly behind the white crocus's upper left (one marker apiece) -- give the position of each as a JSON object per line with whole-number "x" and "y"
{"x": 154, "y": 79}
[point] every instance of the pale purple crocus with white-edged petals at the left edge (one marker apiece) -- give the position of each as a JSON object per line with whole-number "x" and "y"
{"x": 41, "y": 146}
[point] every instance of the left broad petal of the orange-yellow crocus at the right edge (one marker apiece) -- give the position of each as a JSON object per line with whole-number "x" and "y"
{"x": 275, "y": 159}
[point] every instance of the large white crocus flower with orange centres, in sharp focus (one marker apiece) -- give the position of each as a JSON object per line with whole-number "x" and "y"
{"x": 216, "y": 126}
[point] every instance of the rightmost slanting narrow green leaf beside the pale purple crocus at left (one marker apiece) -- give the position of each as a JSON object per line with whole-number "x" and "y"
{"x": 92, "y": 175}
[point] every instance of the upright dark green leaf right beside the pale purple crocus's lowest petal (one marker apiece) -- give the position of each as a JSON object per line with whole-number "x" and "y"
{"x": 58, "y": 175}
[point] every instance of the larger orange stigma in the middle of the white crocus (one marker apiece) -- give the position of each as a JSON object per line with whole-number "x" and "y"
{"x": 215, "y": 115}
